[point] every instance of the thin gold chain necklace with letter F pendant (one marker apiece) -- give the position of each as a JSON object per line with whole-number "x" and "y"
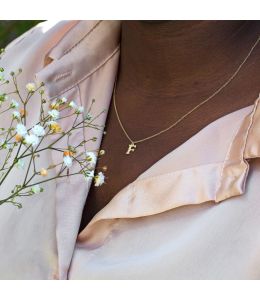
{"x": 133, "y": 143}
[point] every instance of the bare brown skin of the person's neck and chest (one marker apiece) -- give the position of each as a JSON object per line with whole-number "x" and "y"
{"x": 166, "y": 68}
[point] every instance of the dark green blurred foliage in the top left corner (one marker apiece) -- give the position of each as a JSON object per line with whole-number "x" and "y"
{"x": 9, "y": 30}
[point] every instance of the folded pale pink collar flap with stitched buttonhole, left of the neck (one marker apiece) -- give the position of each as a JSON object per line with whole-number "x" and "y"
{"x": 75, "y": 59}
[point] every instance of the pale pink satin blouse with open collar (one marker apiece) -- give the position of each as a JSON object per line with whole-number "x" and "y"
{"x": 192, "y": 215}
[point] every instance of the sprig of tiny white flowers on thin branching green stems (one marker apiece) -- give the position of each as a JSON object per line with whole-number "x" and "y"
{"x": 22, "y": 145}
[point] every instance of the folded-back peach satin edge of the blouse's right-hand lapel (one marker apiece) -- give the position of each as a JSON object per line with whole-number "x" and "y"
{"x": 212, "y": 182}
